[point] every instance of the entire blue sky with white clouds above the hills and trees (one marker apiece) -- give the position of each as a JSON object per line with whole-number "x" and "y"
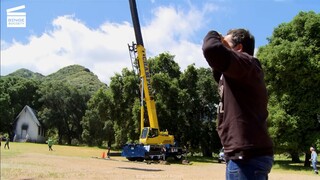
{"x": 95, "y": 33}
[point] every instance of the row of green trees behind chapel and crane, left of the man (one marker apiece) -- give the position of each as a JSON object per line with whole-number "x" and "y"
{"x": 185, "y": 104}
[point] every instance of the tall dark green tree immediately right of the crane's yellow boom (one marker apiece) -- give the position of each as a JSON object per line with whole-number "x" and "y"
{"x": 165, "y": 82}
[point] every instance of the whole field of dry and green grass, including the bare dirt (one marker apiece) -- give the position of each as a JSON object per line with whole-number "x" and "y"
{"x": 35, "y": 161}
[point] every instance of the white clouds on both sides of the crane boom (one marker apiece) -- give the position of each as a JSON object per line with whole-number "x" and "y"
{"x": 104, "y": 50}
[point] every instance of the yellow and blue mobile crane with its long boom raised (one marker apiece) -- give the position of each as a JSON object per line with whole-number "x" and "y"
{"x": 153, "y": 143}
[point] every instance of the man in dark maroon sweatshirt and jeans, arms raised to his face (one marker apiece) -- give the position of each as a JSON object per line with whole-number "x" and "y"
{"x": 242, "y": 111}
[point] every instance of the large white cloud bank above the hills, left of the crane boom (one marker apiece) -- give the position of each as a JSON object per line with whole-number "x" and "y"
{"x": 103, "y": 51}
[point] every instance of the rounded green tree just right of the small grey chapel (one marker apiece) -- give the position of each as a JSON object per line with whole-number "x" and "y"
{"x": 63, "y": 108}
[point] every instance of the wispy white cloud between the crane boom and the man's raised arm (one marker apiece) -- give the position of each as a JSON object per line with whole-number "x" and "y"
{"x": 173, "y": 29}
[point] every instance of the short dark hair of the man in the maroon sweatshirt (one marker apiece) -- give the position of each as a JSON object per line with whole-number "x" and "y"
{"x": 244, "y": 37}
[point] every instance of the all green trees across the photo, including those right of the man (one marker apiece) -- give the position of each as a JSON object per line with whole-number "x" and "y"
{"x": 185, "y": 101}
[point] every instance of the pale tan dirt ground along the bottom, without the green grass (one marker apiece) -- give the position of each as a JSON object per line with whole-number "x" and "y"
{"x": 59, "y": 167}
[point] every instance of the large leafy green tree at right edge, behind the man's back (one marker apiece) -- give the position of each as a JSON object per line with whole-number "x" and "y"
{"x": 291, "y": 61}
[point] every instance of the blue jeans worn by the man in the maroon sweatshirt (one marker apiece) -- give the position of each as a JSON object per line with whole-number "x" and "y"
{"x": 256, "y": 168}
